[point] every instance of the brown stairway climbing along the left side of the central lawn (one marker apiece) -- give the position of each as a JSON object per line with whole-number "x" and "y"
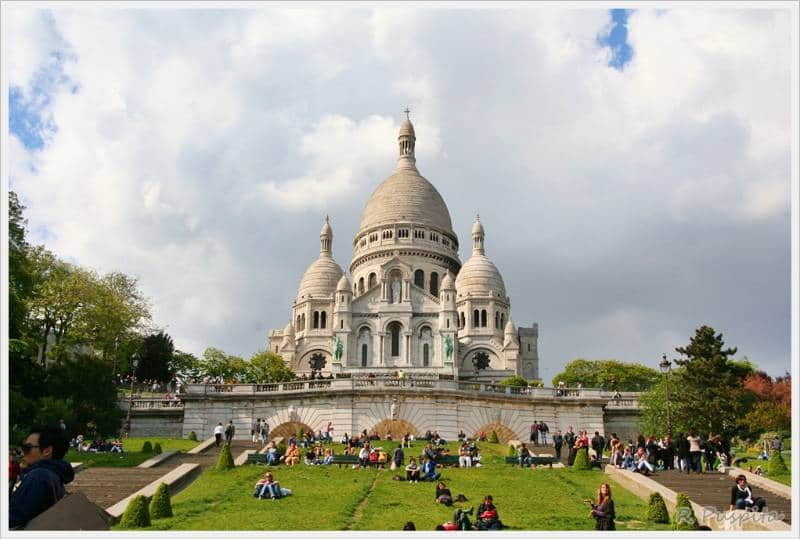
{"x": 106, "y": 486}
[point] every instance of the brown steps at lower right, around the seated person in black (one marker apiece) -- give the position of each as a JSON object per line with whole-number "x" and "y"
{"x": 714, "y": 490}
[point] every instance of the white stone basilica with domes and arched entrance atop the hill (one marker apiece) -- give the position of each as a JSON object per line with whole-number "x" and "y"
{"x": 411, "y": 306}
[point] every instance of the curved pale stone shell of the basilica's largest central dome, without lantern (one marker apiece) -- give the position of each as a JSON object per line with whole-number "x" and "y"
{"x": 406, "y": 196}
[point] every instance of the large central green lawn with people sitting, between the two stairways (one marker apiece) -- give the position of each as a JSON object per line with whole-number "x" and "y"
{"x": 333, "y": 498}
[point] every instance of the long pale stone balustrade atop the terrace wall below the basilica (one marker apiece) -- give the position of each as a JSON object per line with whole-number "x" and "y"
{"x": 626, "y": 400}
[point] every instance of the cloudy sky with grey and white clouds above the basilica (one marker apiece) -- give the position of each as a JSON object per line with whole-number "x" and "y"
{"x": 632, "y": 168}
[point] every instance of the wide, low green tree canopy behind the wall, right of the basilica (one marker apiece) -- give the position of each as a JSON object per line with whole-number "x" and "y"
{"x": 608, "y": 374}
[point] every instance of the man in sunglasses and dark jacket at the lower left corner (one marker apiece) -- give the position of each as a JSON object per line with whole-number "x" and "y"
{"x": 42, "y": 481}
